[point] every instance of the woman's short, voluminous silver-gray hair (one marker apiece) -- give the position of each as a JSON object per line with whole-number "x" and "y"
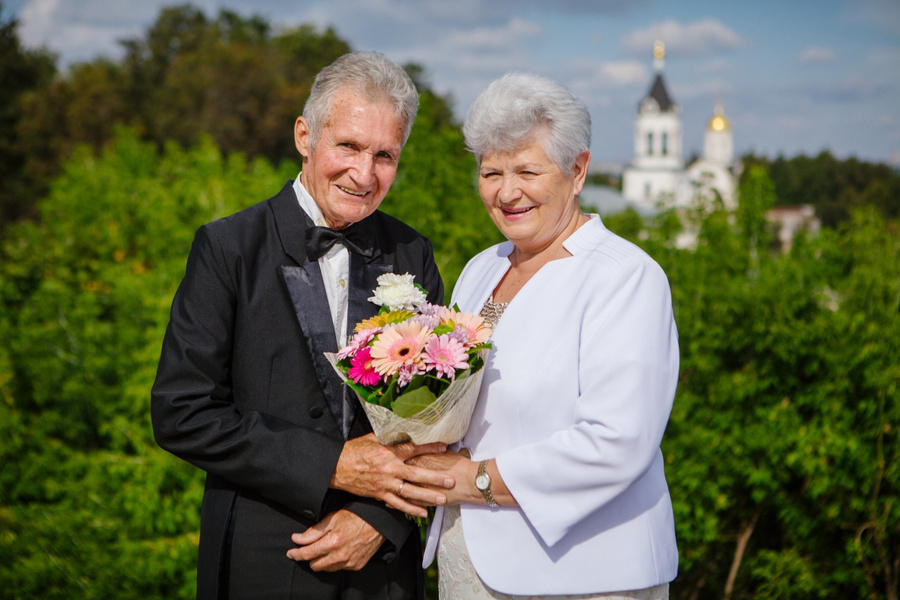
{"x": 514, "y": 106}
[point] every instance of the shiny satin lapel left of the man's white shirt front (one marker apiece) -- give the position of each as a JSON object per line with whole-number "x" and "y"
{"x": 307, "y": 293}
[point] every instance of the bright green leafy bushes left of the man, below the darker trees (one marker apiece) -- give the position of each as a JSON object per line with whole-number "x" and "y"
{"x": 89, "y": 505}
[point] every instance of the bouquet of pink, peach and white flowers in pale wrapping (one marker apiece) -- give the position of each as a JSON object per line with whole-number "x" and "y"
{"x": 415, "y": 367}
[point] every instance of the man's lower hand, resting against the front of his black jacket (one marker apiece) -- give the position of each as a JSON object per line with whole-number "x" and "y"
{"x": 342, "y": 540}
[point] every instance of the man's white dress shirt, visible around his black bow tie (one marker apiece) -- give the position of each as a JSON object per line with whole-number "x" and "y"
{"x": 335, "y": 267}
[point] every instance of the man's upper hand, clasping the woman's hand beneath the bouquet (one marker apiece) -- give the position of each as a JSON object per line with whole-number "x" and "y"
{"x": 368, "y": 468}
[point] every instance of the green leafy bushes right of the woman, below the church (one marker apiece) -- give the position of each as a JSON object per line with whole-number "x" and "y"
{"x": 782, "y": 448}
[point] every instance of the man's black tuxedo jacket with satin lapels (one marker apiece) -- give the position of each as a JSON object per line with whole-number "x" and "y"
{"x": 243, "y": 390}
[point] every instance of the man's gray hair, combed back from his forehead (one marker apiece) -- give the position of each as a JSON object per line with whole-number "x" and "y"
{"x": 371, "y": 74}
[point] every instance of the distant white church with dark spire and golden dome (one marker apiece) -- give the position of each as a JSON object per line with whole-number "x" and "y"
{"x": 657, "y": 177}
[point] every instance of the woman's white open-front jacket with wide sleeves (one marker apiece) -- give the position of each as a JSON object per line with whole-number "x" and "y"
{"x": 575, "y": 399}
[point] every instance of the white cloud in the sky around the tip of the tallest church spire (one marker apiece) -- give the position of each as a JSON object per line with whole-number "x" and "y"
{"x": 701, "y": 37}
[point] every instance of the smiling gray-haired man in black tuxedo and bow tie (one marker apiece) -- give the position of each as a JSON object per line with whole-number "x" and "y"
{"x": 244, "y": 392}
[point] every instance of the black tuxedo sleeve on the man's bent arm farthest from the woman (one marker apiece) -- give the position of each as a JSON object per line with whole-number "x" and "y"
{"x": 192, "y": 405}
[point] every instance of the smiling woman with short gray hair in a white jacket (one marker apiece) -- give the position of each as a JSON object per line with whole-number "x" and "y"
{"x": 564, "y": 494}
